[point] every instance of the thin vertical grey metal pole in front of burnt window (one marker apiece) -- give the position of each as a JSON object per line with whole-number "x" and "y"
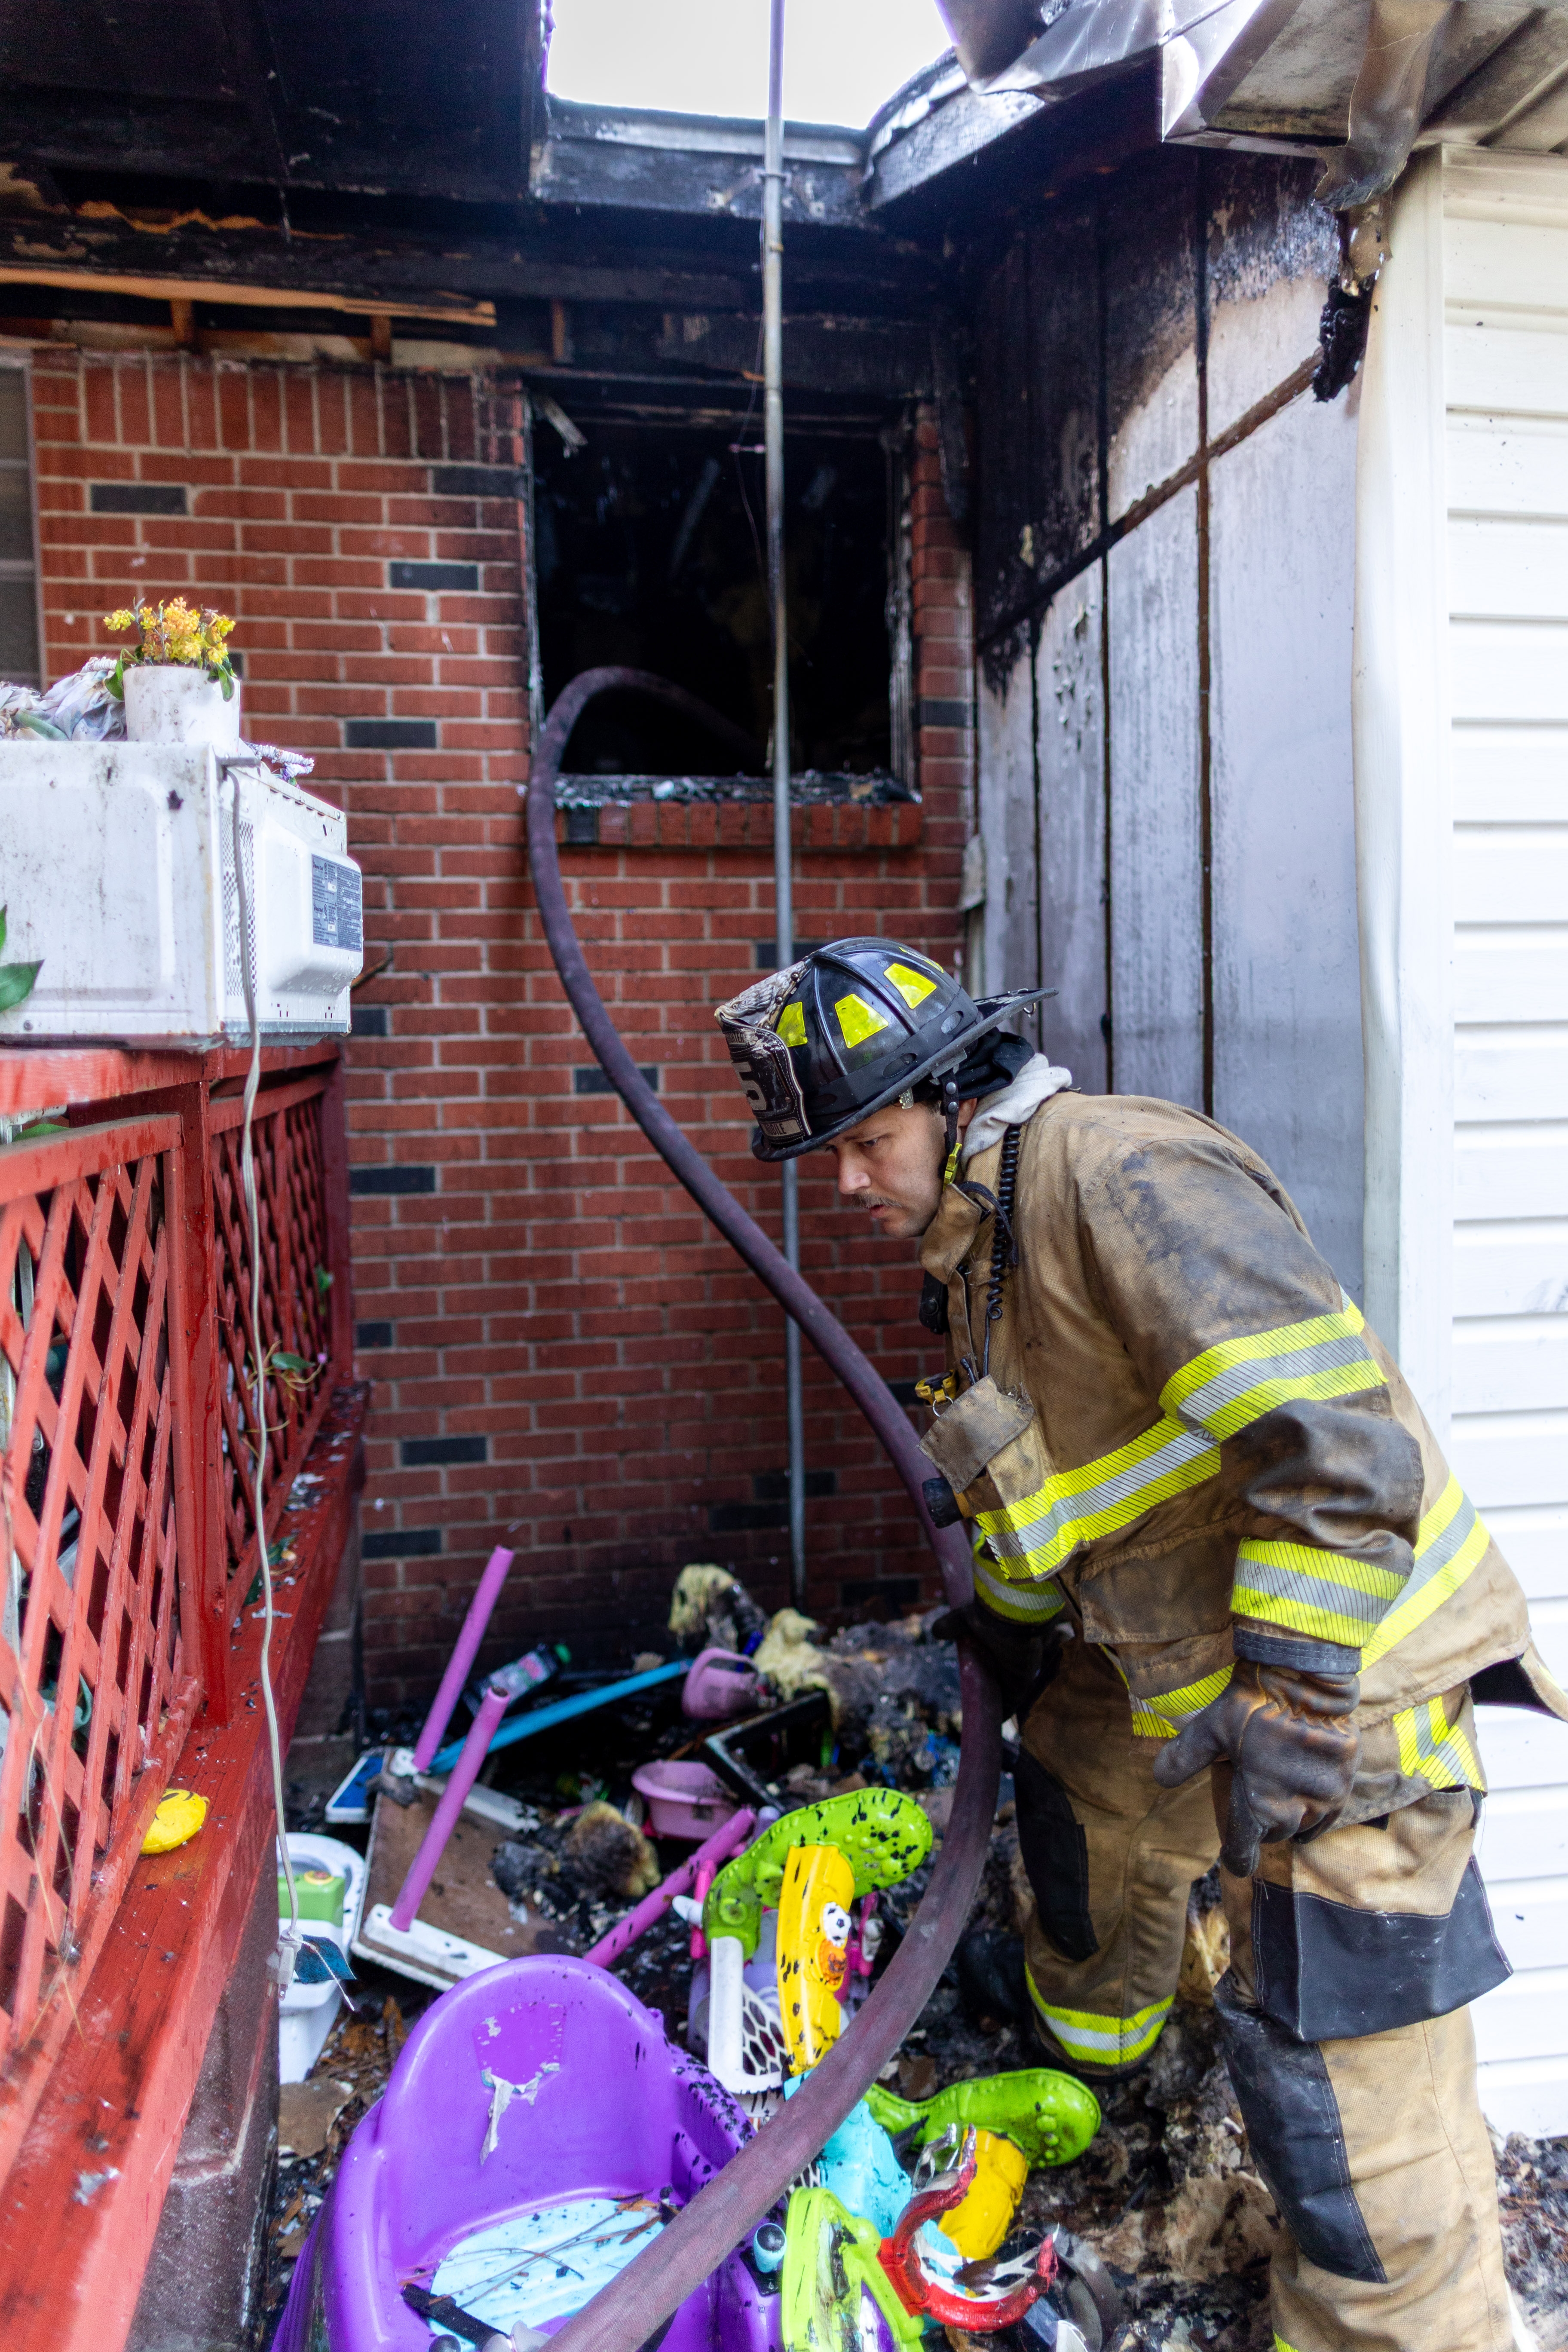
{"x": 784, "y": 904}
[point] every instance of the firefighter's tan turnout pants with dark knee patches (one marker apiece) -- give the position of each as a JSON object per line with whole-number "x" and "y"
{"x": 1343, "y": 2014}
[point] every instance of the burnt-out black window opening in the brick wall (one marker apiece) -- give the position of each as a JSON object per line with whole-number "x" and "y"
{"x": 650, "y": 549}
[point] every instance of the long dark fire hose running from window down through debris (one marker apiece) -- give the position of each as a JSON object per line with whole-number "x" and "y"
{"x": 626, "y": 2313}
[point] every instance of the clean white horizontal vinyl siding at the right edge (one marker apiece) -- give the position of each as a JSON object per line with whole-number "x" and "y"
{"x": 1506, "y": 396}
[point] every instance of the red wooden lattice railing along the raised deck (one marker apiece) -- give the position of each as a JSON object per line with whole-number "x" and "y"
{"x": 126, "y": 1429}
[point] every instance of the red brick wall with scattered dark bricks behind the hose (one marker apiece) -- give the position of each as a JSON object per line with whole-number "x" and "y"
{"x": 577, "y": 1365}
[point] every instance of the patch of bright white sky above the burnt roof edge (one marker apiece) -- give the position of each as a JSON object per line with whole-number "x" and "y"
{"x": 711, "y": 58}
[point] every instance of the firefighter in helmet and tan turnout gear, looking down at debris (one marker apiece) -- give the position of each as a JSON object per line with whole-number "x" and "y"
{"x": 1240, "y": 1598}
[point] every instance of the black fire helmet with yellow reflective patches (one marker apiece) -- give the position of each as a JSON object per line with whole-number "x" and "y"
{"x": 850, "y": 1029}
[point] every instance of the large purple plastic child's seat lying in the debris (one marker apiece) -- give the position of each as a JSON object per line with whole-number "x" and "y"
{"x": 530, "y": 2087}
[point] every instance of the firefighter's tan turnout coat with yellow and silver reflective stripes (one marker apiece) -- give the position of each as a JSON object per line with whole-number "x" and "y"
{"x": 1186, "y": 1422}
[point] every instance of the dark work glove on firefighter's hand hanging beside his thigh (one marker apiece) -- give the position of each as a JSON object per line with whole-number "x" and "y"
{"x": 1292, "y": 1746}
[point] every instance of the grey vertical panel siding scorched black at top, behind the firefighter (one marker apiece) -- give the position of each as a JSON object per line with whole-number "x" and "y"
{"x": 1165, "y": 584}
